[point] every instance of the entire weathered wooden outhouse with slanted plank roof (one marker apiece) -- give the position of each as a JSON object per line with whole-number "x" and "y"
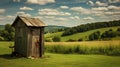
{"x": 29, "y": 36}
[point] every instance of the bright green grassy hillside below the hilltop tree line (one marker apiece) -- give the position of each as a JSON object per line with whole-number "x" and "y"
{"x": 83, "y": 35}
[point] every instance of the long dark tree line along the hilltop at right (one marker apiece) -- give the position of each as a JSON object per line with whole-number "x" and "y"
{"x": 90, "y": 26}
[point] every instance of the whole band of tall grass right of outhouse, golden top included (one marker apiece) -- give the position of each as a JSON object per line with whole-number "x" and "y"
{"x": 94, "y": 47}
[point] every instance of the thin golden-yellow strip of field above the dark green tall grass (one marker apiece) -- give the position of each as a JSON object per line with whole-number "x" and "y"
{"x": 86, "y": 43}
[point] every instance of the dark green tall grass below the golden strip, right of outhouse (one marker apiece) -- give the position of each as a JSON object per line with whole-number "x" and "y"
{"x": 79, "y": 49}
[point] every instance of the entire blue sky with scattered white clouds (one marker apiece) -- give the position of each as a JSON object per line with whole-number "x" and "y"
{"x": 60, "y": 12}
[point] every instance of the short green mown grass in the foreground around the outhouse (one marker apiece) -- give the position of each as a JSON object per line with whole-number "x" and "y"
{"x": 56, "y": 60}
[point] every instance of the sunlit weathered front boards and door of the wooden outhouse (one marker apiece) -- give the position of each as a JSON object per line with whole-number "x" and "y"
{"x": 33, "y": 41}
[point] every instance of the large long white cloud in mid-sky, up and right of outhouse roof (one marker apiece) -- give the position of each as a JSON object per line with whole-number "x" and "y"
{"x": 52, "y": 12}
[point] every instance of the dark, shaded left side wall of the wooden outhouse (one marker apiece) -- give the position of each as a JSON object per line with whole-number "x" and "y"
{"x": 21, "y": 38}
